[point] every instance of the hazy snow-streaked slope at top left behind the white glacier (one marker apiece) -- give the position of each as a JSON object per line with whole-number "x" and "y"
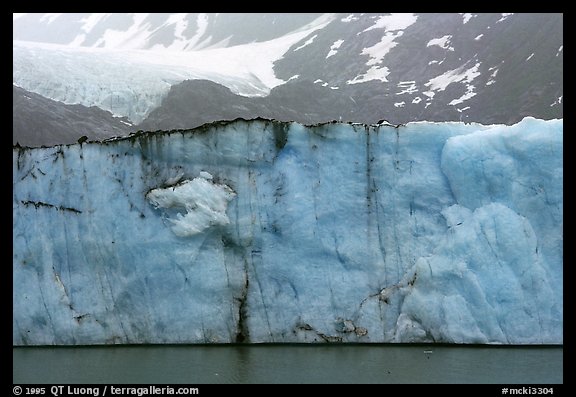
{"x": 158, "y": 31}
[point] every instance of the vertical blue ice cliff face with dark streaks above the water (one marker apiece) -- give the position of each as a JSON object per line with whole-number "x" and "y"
{"x": 260, "y": 231}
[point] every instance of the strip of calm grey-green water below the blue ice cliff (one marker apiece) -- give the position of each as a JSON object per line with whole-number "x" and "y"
{"x": 289, "y": 364}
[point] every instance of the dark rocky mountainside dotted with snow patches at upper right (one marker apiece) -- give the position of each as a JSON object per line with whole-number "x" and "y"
{"x": 488, "y": 70}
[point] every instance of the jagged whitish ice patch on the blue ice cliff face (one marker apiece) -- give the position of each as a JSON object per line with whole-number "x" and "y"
{"x": 204, "y": 204}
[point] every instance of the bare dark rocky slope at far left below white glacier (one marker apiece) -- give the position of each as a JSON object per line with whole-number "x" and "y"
{"x": 37, "y": 121}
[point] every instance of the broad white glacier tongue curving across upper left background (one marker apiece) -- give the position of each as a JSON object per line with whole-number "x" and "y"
{"x": 131, "y": 83}
